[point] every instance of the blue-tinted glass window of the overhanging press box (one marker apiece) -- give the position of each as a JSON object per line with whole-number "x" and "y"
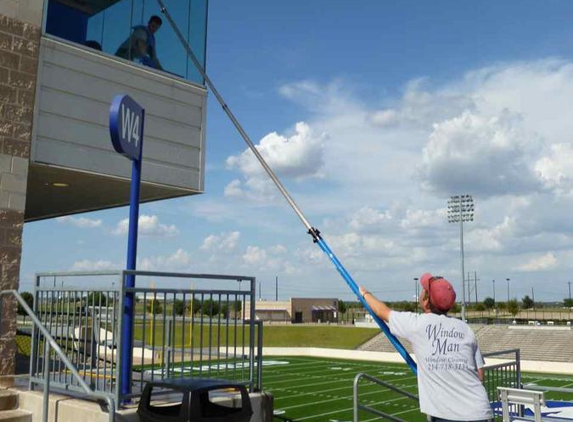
{"x": 135, "y": 30}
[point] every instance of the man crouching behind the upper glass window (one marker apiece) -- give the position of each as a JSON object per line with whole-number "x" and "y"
{"x": 140, "y": 45}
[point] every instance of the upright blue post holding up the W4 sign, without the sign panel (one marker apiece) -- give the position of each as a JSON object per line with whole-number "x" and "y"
{"x": 128, "y": 309}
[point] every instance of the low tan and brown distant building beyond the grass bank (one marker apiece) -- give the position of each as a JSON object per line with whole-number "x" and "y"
{"x": 296, "y": 310}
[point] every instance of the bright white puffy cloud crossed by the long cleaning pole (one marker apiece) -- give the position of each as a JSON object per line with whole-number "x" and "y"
{"x": 297, "y": 156}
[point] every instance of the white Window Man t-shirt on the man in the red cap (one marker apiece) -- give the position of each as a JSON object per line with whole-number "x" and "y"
{"x": 448, "y": 358}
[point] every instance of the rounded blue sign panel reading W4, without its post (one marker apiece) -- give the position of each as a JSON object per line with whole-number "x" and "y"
{"x": 126, "y": 126}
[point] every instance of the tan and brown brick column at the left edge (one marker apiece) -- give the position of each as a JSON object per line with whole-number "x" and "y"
{"x": 19, "y": 46}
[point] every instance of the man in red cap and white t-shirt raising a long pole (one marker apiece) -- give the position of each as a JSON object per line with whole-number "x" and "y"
{"x": 450, "y": 373}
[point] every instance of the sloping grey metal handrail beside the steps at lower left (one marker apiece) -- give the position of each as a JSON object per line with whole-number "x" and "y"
{"x": 50, "y": 342}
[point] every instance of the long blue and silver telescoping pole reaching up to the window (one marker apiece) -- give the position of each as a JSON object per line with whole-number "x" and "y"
{"x": 311, "y": 230}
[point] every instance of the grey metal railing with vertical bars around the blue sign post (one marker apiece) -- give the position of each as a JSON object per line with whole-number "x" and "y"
{"x": 196, "y": 332}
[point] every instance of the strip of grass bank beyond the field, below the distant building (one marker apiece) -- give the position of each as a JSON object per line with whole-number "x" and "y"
{"x": 328, "y": 336}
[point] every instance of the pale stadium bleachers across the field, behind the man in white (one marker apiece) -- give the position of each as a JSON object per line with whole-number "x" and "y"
{"x": 535, "y": 343}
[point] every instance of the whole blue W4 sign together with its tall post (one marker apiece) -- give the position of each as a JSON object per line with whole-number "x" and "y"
{"x": 126, "y": 119}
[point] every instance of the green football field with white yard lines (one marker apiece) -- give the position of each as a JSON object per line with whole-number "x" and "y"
{"x": 321, "y": 389}
